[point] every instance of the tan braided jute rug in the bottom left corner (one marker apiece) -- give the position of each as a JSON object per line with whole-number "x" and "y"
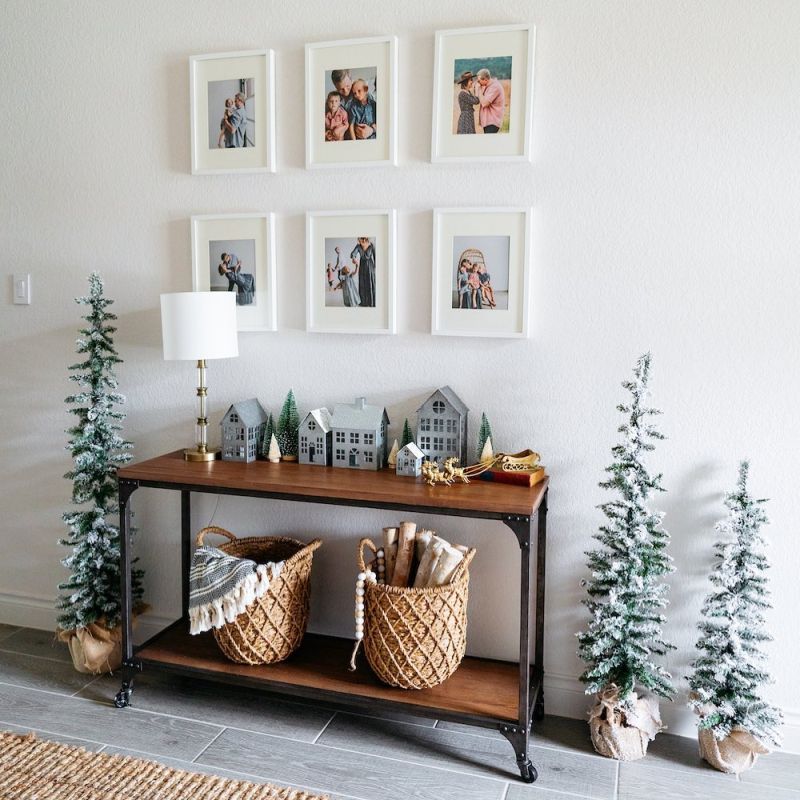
{"x": 33, "y": 769}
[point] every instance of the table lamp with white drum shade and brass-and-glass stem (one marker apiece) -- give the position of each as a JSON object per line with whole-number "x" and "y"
{"x": 196, "y": 326}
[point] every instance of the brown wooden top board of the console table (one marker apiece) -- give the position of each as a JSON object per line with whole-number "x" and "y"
{"x": 307, "y": 483}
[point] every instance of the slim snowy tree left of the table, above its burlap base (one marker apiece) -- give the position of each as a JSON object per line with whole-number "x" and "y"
{"x": 92, "y": 592}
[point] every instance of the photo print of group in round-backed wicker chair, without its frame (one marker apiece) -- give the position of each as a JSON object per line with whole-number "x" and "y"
{"x": 480, "y": 272}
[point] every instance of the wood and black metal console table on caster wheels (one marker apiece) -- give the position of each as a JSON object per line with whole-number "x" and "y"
{"x": 503, "y": 695}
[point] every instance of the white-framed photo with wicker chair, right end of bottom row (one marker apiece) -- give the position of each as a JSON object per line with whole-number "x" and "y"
{"x": 481, "y": 272}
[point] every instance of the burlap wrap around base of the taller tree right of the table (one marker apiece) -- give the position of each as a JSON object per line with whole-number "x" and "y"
{"x": 621, "y": 734}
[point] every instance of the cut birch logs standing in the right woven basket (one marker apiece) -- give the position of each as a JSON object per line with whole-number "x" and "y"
{"x": 417, "y": 558}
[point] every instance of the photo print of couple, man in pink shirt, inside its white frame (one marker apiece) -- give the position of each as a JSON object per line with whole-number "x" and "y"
{"x": 482, "y": 95}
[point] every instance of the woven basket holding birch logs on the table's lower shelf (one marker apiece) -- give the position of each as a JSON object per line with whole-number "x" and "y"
{"x": 415, "y": 638}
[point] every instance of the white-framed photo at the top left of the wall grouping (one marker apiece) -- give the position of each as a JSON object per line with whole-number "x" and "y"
{"x": 232, "y": 100}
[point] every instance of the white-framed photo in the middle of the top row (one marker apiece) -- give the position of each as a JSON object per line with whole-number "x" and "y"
{"x": 351, "y": 102}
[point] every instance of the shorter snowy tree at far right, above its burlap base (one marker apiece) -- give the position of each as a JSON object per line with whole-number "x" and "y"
{"x": 729, "y": 675}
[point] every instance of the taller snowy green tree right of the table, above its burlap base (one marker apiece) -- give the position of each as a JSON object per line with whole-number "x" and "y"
{"x": 625, "y": 591}
